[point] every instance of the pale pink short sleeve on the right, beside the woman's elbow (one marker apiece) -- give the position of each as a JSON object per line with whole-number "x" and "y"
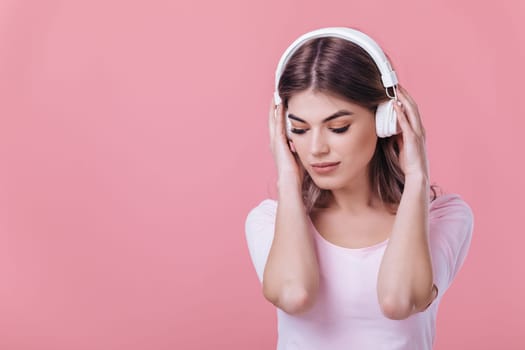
{"x": 451, "y": 224}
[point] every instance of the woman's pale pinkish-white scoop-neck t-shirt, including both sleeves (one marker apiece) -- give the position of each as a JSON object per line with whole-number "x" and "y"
{"x": 346, "y": 314}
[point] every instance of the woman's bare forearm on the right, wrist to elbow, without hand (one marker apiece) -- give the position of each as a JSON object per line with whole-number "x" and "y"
{"x": 405, "y": 276}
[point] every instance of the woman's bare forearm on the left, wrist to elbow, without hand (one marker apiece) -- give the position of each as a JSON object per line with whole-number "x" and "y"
{"x": 291, "y": 275}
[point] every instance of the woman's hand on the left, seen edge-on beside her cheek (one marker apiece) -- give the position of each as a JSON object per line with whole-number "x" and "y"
{"x": 289, "y": 167}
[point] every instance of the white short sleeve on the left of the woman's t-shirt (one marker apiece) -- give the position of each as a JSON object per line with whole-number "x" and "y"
{"x": 259, "y": 229}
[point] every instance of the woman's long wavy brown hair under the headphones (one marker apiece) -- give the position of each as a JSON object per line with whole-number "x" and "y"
{"x": 338, "y": 66}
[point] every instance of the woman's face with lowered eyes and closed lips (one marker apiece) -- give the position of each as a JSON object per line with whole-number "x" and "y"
{"x": 329, "y": 129}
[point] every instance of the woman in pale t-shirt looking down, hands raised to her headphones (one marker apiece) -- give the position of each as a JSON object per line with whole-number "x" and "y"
{"x": 356, "y": 252}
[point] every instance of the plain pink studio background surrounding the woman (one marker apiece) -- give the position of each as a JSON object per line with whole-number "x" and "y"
{"x": 134, "y": 141}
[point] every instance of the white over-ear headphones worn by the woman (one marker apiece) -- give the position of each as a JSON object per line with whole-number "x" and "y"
{"x": 386, "y": 119}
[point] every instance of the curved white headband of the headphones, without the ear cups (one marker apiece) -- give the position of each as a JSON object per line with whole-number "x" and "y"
{"x": 388, "y": 76}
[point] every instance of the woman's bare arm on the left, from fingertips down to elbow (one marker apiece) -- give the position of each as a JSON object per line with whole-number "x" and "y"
{"x": 291, "y": 274}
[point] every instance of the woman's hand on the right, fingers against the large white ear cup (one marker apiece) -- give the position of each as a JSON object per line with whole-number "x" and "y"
{"x": 411, "y": 141}
